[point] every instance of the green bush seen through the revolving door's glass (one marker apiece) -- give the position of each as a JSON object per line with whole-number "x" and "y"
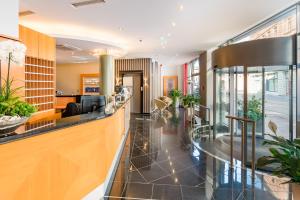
{"x": 255, "y": 109}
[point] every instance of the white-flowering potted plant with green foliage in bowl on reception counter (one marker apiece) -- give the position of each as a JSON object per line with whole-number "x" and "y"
{"x": 13, "y": 111}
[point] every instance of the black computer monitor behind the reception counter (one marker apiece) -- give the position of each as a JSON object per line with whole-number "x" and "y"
{"x": 92, "y": 103}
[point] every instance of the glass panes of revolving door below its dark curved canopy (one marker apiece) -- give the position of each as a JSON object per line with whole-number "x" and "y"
{"x": 270, "y": 91}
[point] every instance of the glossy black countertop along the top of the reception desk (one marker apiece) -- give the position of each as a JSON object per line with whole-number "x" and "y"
{"x": 55, "y": 124}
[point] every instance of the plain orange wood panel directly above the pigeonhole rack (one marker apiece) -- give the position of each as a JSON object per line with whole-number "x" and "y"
{"x": 38, "y": 45}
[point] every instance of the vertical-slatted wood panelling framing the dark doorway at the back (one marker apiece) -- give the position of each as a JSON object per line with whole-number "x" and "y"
{"x": 140, "y": 64}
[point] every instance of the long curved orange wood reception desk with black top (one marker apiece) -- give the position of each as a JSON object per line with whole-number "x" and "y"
{"x": 72, "y": 159}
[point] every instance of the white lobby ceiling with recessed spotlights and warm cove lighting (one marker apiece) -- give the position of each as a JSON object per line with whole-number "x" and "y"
{"x": 138, "y": 26}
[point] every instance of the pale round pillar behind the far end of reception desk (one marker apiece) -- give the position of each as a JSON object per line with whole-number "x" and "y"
{"x": 107, "y": 75}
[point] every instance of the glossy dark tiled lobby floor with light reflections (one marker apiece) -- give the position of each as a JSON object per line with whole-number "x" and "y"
{"x": 159, "y": 162}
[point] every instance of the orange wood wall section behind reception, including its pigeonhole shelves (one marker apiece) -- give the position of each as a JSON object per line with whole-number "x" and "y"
{"x": 39, "y": 68}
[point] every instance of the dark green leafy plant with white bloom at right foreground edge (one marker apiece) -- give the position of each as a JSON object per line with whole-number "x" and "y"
{"x": 285, "y": 154}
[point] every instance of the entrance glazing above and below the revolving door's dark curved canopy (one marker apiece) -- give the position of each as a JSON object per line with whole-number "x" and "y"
{"x": 270, "y": 91}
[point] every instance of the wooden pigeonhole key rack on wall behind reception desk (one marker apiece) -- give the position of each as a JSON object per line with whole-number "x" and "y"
{"x": 39, "y": 83}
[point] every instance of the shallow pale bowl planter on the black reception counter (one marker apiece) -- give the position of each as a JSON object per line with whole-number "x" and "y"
{"x": 9, "y": 124}
